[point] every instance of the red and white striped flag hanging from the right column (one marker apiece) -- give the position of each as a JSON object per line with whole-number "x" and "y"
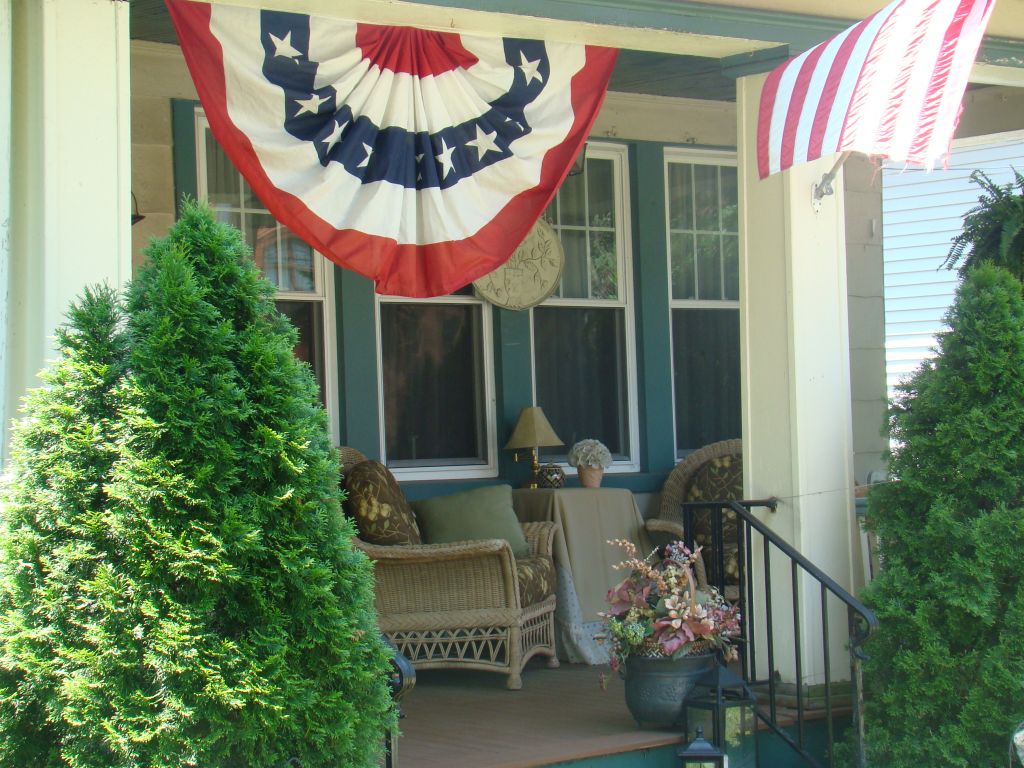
{"x": 890, "y": 87}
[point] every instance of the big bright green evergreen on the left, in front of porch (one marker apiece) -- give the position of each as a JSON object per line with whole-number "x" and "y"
{"x": 178, "y": 584}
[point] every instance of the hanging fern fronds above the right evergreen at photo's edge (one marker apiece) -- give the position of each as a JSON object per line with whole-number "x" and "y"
{"x": 994, "y": 231}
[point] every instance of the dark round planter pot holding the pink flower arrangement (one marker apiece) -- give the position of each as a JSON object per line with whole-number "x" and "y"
{"x": 657, "y": 688}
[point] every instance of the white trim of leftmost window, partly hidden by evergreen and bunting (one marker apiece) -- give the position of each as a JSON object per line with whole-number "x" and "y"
{"x": 324, "y": 277}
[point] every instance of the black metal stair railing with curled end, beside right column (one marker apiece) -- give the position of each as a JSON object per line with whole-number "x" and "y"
{"x": 736, "y": 543}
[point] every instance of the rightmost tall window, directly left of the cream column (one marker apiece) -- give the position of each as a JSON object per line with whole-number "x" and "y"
{"x": 704, "y": 264}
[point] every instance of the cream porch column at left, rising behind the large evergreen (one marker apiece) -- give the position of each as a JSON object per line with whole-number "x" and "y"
{"x": 71, "y": 176}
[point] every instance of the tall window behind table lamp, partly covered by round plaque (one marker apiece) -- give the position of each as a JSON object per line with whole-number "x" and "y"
{"x": 584, "y": 349}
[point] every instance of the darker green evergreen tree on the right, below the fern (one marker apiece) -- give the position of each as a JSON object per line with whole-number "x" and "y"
{"x": 946, "y": 678}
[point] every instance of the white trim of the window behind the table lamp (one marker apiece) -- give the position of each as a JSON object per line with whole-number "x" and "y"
{"x": 619, "y": 154}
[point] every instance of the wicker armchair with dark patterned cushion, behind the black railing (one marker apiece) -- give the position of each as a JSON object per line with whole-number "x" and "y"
{"x": 713, "y": 473}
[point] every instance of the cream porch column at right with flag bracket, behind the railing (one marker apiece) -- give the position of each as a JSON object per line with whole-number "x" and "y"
{"x": 798, "y": 436}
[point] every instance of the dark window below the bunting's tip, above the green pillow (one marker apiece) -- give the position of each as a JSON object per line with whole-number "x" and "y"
{"x": 437, "y": 388}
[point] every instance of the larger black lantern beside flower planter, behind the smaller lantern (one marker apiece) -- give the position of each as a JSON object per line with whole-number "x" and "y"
{"x": 729, "y": 704}
